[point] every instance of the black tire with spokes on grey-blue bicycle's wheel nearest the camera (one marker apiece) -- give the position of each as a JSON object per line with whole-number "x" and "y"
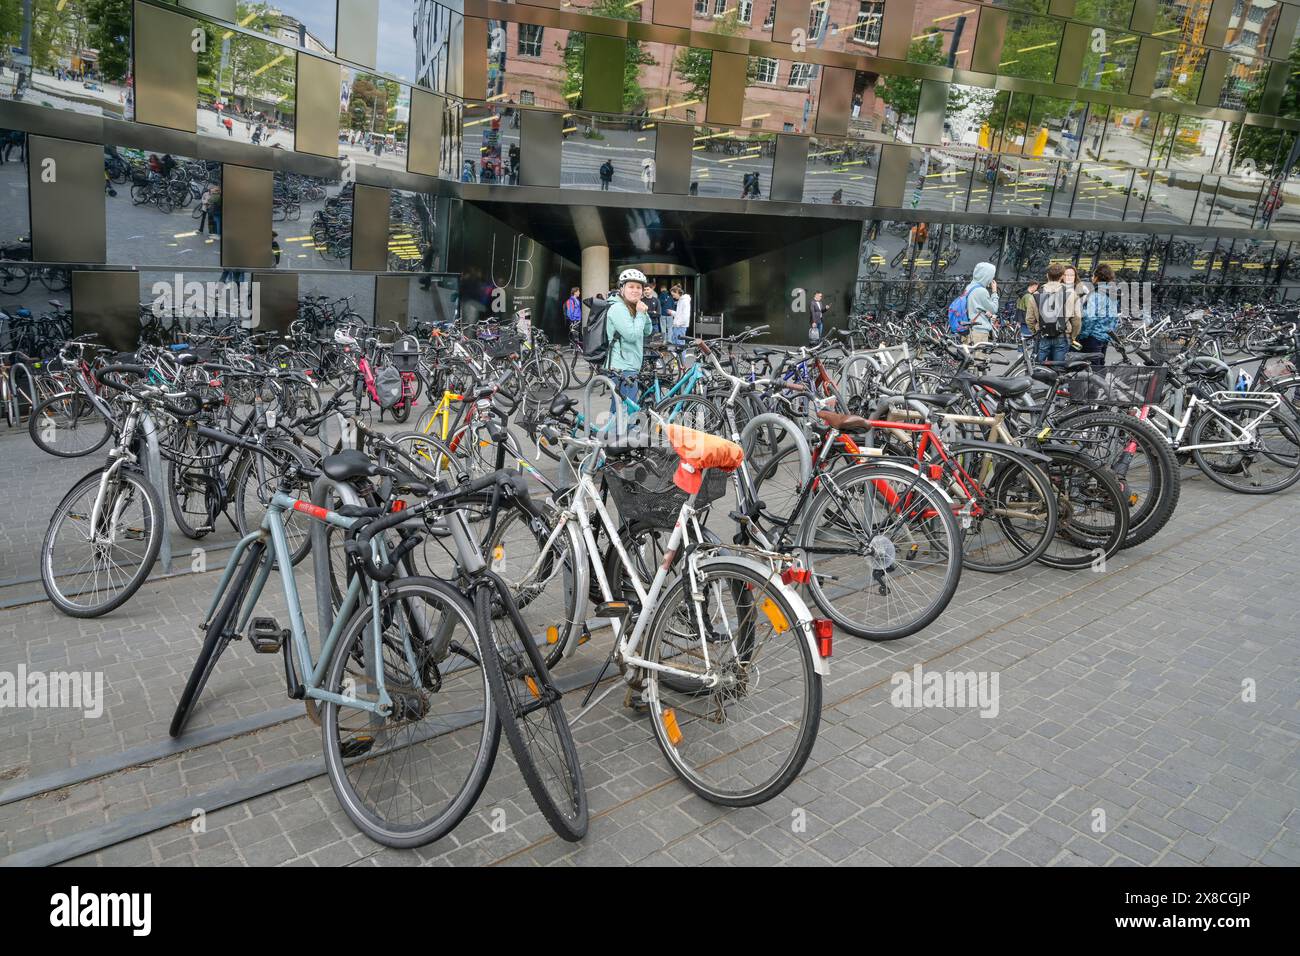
{"x": 350, "y": 651}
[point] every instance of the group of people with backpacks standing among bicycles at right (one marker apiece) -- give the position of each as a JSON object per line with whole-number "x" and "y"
{"x": 1063, "y": 314}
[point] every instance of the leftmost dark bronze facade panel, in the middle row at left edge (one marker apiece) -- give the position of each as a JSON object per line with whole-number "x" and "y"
{"x": 67, "y": 189}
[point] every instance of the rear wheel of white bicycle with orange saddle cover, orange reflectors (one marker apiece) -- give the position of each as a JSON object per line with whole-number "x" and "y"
{"x": 749, "y": 586}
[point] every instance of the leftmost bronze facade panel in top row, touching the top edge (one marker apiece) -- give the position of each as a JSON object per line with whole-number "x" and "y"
{"x": 167, "y": 68}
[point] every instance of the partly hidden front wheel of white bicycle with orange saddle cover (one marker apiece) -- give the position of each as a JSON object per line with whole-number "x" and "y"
{"x": 547, "y": 578}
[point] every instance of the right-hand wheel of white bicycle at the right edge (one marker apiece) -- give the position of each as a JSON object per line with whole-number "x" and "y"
{"x": 1269, "y": 464}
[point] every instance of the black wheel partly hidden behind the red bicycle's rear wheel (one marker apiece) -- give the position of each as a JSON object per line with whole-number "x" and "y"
{"x": 1093, "y": 512}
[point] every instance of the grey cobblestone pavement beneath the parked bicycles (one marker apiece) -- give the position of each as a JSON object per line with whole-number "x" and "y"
{"x": 1125, "y": 699}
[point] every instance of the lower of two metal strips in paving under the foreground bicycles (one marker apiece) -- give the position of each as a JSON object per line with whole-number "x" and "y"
{"x": 181, "y": 810}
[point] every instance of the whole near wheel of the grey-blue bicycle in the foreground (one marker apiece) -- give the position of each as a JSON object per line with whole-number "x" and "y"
{"x": 408, "y": 780}
